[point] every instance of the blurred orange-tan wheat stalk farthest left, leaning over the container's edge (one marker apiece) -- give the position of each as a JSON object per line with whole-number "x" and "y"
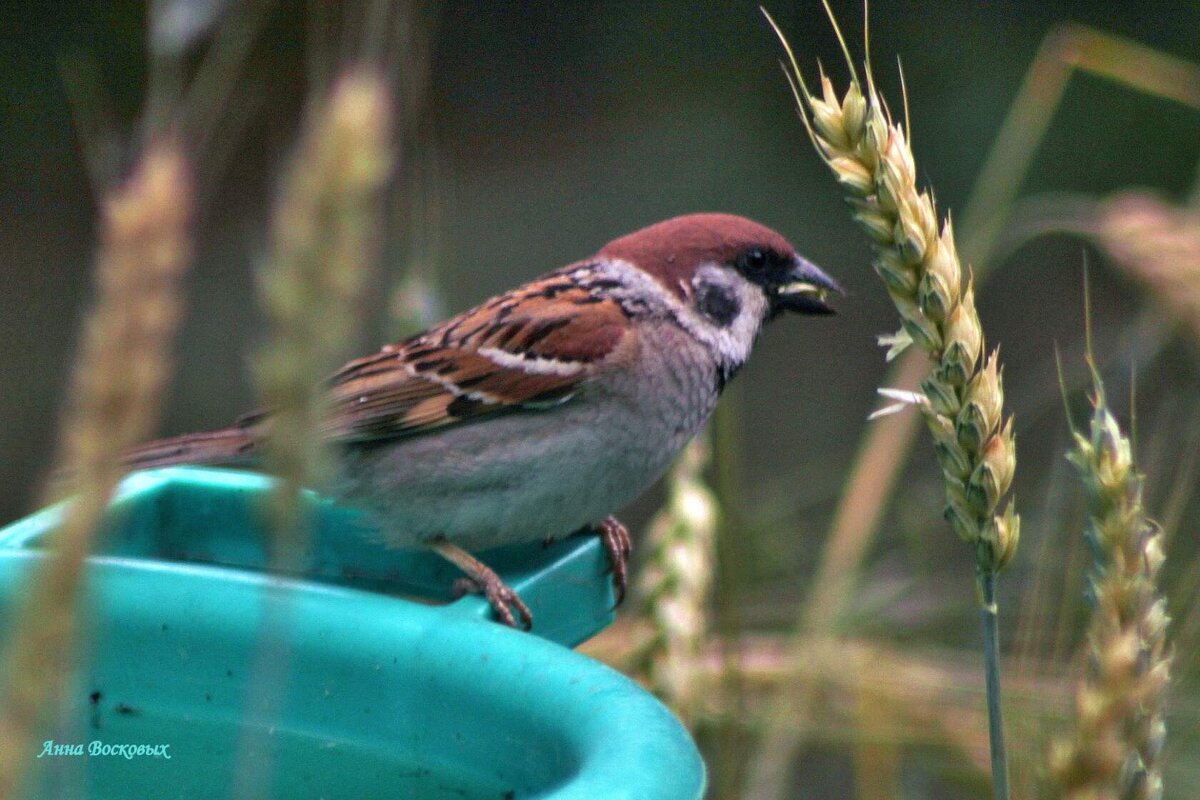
{"x": 122, "y": 370}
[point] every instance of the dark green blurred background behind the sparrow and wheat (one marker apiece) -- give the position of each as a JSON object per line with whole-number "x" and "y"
{"x": 545, "y": 130}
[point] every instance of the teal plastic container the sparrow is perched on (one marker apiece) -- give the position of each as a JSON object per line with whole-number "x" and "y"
{"x": 369, "y": 694}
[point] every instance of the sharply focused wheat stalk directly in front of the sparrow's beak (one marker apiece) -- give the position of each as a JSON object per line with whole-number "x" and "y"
{"x": 917, "y": 260}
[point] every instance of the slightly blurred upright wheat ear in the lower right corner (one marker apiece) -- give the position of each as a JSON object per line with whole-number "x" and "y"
{"x": 1120, "y": 730}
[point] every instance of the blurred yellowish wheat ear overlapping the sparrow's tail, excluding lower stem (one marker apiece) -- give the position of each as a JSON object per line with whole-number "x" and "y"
{"x": 323, "y": 233}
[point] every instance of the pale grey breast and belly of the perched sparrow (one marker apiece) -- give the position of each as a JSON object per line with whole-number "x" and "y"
{"x": 535, "y": 476}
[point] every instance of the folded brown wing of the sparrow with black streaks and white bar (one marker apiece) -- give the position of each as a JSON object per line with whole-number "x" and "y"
{"x": 526, "y": 350}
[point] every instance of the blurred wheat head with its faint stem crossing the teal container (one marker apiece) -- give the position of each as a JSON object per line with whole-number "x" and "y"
{"x": 325, "y": 230}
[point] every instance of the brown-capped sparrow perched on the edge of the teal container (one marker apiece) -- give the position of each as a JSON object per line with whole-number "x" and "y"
{"x": 544, "y": 411}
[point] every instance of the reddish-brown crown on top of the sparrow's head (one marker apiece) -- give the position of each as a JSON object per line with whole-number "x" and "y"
{"x": 673, "y": 250}
